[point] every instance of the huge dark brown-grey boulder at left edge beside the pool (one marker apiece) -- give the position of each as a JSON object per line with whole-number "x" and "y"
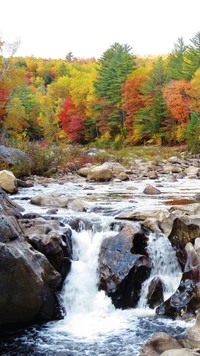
{"x": 27, "y": 283}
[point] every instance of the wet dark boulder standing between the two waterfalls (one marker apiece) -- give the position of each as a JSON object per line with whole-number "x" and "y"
{"x": 122, "y": 272}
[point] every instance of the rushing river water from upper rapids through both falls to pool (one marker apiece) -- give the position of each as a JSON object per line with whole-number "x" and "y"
{"x": 92, "y": 325}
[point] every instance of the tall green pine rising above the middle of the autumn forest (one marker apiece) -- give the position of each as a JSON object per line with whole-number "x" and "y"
{"x": 114, "y": 67}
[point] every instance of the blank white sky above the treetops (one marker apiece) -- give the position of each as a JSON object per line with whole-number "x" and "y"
{"x": 87, "y": 28}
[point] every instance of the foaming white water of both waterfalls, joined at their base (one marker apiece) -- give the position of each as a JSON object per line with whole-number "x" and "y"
{"x": 90, "y": 313}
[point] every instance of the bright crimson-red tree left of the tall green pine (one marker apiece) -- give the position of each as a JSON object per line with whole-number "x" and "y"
{"x": 71, "y": 120}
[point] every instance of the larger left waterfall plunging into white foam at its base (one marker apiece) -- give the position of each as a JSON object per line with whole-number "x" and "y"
{"x": 88, "y": 311}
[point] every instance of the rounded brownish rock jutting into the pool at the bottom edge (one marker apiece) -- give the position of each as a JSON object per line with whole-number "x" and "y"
{"x": 160, "y": 343}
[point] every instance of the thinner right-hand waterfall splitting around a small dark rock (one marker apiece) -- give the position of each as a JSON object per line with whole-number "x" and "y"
{"x": 164, "y": 265}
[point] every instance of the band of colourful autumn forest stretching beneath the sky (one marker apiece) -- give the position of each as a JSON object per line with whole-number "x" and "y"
{"x": 118, "y": 99}
